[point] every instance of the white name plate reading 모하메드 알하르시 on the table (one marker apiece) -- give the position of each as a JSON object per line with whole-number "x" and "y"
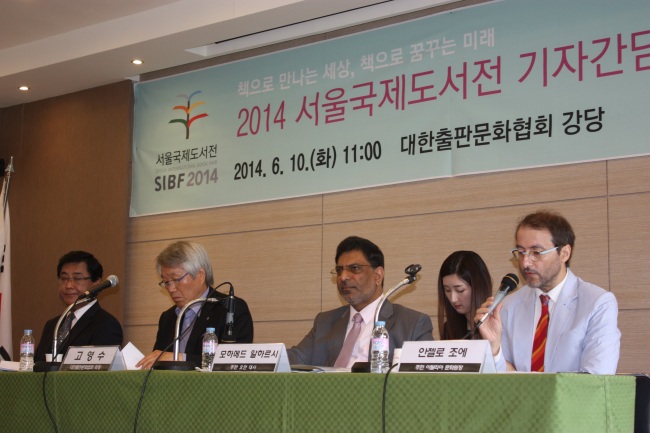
{"x": 252, "y": 357}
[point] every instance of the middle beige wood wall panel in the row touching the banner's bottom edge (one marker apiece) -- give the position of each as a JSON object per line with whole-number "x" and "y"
{"x": 489, "y": 190}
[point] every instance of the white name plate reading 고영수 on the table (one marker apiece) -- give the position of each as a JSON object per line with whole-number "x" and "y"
{"x": 93, "y": 358}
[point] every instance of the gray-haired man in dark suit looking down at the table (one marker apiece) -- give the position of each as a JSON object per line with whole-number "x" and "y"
{"x": 187, "y": 275}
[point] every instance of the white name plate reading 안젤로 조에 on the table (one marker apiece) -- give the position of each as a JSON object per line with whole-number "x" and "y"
{"x": 447, "y": 356}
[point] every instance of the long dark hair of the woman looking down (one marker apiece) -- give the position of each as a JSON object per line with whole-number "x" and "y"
{"x": 471, "y": 268}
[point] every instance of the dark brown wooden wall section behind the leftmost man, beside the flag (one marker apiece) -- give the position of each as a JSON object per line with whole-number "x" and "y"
{"x": 69, "y": 191}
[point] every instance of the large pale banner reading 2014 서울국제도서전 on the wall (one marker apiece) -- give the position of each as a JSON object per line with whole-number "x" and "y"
{"x": 499, "y": 86}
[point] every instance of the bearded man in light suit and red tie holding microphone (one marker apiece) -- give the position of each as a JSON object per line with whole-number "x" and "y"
{"x": 581, "y": 333}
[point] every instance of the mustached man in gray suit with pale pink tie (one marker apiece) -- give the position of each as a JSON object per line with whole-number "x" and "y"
{"x": 360, "y": 279}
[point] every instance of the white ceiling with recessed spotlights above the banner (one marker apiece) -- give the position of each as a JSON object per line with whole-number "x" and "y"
{"x": 61, "y": 46}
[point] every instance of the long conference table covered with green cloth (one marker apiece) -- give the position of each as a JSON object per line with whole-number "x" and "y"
{"x": 314, "y": 402}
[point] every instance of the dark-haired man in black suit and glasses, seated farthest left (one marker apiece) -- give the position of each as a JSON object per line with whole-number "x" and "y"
{"x": 91, "y": 325}
